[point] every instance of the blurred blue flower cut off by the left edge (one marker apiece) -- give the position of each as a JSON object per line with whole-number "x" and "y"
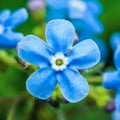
{"x": 8, "y": 22}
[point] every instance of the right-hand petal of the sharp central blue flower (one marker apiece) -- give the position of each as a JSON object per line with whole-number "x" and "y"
{"x": 84, "y": 54}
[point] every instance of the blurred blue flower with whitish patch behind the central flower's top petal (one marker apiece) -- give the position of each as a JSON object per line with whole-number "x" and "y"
{"x": 82, "y": 13}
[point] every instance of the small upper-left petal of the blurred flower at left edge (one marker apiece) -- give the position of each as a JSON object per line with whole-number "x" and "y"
{"x": 4, "y": 15}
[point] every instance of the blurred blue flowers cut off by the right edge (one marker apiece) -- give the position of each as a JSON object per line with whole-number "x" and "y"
{"x": 111, "y": 79}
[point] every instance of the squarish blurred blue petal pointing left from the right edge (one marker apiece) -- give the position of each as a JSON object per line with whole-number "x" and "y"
{"x": 111, "y": 80}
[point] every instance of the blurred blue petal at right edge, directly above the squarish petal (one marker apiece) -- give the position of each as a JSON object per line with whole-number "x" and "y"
{"x": 117, "y": 58}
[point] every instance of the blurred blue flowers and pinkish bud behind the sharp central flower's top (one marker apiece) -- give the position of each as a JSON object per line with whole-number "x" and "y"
{"x": 83, "y": 14}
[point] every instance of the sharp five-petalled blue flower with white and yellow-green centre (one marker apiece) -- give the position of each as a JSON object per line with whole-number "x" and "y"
{"x": 58, "y": 61}
